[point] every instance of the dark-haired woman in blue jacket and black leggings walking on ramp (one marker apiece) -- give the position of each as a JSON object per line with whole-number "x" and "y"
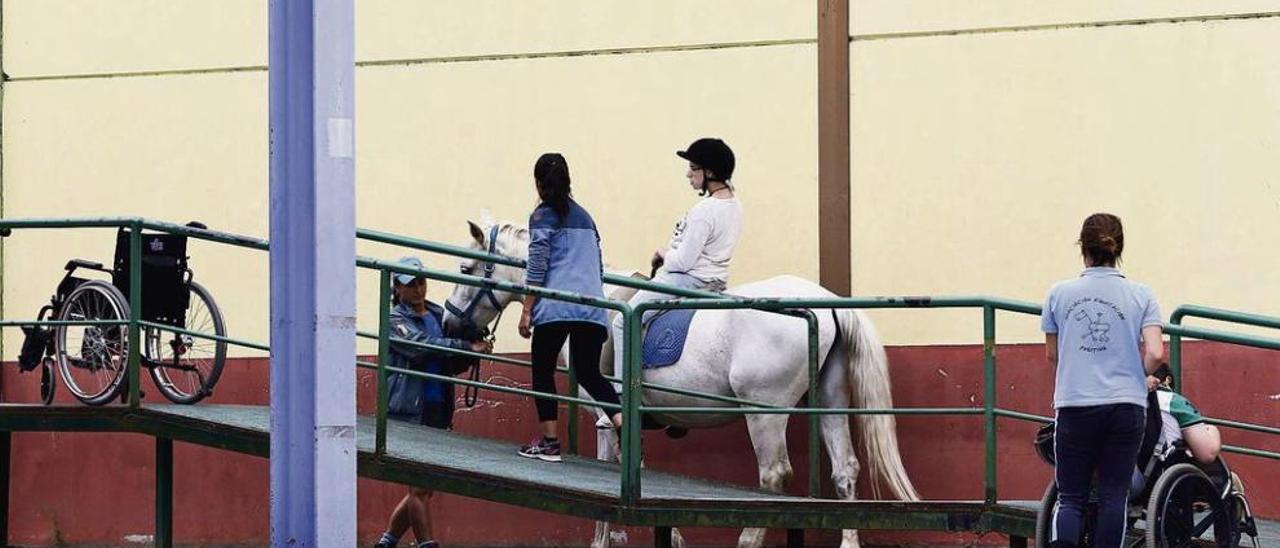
{"x": 564, "y": 254}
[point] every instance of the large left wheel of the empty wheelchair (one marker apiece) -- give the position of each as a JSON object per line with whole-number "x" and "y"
{"x": 93, "y": 359}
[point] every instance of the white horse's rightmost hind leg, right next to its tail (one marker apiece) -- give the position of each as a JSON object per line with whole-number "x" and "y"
{"x": 834, "y": 394}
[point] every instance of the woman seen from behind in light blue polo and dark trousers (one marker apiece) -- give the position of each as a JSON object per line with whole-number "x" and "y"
{"x": 1103, "y": 334}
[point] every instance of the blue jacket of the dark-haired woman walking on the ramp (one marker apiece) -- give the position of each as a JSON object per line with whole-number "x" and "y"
{"x": 565, "y": 254}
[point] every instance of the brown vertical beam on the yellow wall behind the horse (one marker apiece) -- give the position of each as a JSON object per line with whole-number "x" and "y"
{"x": 834, "y": 148}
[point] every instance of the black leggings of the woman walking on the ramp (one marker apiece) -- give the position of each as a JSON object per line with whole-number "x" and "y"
{"x": 586, "y": 341}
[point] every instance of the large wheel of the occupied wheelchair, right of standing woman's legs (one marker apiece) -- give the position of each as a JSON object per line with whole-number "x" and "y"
{"x": 1185, "y": 506}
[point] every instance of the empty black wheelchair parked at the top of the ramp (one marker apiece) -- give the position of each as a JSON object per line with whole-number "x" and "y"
{"x": 93, "y": 360}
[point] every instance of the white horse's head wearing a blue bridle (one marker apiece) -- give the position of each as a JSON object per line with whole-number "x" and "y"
{"x": 470, "y": 309}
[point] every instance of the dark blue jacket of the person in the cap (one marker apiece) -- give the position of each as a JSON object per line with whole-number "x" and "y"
{"x": 406, "y": 395}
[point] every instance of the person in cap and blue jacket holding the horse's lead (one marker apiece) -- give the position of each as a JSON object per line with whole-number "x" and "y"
{"x": 417, "y": 400}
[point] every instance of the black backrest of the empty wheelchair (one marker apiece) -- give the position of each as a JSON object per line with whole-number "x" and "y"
{"x": 164, "y": 276}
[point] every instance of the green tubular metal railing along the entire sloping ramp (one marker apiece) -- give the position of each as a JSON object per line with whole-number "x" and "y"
{"x": 632, "y": 377}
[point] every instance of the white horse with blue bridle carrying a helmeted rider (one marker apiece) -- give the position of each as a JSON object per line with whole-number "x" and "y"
{"x": 746, "y": 354}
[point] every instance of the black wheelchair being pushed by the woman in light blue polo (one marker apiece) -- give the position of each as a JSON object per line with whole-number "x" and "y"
{"x": 1181, "y": 503}
